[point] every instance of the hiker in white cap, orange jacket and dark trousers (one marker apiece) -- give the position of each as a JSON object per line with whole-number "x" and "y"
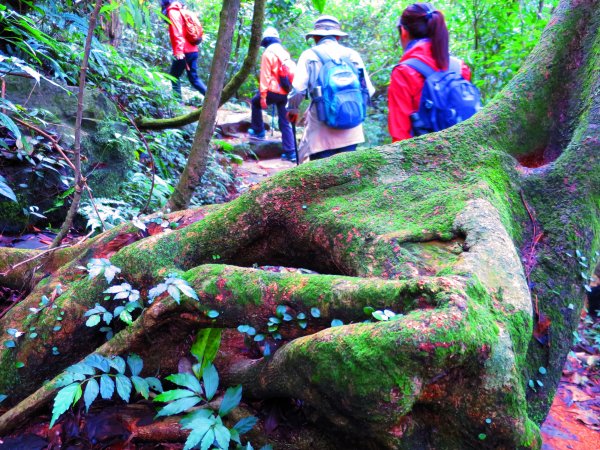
{"x": 272, "y": 92}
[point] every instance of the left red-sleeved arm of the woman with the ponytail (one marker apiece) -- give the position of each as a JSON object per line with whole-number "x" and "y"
{"x": 400, "y": 102}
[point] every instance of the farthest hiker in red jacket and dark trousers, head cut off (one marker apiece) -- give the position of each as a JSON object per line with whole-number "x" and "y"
{"x": 185, "y": 54}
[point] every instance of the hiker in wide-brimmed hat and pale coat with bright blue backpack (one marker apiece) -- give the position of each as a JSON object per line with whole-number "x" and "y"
{"x": 328, "y": 133}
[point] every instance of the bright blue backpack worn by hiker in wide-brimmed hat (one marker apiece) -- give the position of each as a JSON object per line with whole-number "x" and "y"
{"x": 343, "y": 97}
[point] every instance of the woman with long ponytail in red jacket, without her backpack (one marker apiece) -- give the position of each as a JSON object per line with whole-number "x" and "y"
{"x": 424, "y": 37}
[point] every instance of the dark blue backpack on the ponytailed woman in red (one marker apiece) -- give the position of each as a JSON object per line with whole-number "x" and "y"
{"x": 447, "y": 98}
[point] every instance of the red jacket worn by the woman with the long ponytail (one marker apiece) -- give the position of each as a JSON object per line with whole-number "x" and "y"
{"x": 406, "y": 85}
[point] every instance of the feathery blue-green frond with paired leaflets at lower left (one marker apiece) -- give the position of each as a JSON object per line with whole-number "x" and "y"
{"x": 101, "y": 375}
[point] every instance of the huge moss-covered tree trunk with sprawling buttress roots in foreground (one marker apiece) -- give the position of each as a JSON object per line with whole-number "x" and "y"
{"x": 471, "y": 234}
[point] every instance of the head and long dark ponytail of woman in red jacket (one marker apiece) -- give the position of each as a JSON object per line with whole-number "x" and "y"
{"x": 422, "y": 20}
